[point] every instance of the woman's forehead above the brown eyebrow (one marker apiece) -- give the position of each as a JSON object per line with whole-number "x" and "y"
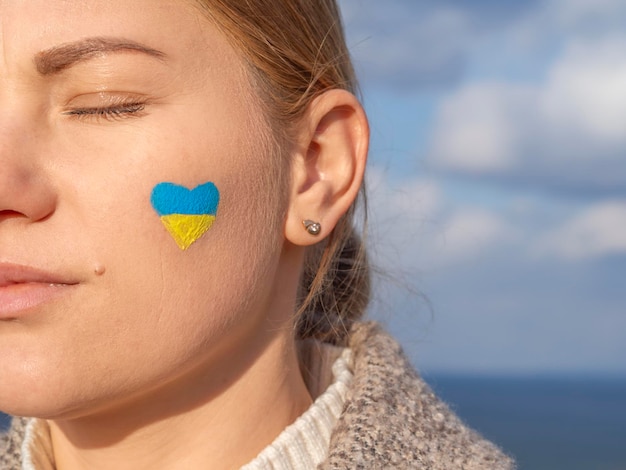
{"x": 178, "y": 28}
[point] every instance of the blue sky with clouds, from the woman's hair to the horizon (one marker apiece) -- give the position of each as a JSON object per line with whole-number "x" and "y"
{"x": 497, "y": 180}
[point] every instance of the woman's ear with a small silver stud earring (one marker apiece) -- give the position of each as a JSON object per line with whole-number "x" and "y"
{"x": 328, "y": 164}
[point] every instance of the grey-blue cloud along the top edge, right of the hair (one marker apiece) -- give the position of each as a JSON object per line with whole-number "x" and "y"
{"x": 409, "y": 45}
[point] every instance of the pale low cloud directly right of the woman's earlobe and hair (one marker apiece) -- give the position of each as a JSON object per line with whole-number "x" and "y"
{"x": 414, "y": 225}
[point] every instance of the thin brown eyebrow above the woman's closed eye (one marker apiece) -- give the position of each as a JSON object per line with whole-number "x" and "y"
{"x": 56, "y": 59}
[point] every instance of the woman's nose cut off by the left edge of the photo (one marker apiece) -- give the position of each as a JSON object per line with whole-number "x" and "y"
{"x": 26, "y": 191}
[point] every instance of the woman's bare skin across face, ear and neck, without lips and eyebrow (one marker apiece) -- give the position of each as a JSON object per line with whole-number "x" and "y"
{"x": 155, "y": 357}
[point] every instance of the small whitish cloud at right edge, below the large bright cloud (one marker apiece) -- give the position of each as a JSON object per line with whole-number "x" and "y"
{"x": 598, "y": 231}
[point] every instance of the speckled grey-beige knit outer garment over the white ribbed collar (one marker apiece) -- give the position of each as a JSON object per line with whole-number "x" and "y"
{"x": 391, "y": 419}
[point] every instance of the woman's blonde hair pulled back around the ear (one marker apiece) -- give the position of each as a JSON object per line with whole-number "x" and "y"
{"x": 296, "y": 50}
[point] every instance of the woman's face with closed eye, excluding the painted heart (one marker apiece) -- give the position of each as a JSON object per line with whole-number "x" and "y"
{"x": 100, "y": 101}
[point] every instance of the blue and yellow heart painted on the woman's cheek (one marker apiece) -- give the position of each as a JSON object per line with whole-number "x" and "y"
{"x": 186, "y": 213}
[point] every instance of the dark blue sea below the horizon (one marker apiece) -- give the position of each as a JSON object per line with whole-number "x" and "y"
{"x": 545, "y": 422}
